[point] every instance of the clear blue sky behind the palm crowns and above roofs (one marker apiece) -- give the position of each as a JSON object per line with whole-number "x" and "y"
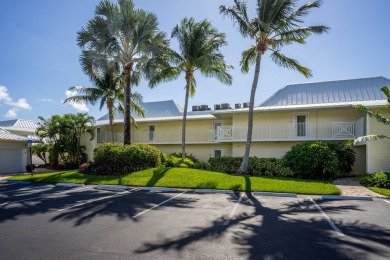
{"x": 39, "y": 54}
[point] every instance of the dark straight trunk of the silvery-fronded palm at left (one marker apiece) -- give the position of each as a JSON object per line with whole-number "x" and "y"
{"x": 127, "y": 90}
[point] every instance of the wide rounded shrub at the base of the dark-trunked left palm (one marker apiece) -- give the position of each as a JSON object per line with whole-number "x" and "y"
{"x": 118, "y": 159}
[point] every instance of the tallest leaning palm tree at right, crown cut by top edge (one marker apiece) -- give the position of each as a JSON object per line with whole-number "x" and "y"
{"x": 276, "y": 25}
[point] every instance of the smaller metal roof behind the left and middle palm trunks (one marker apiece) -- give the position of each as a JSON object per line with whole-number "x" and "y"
{"x": 161, "y": 110}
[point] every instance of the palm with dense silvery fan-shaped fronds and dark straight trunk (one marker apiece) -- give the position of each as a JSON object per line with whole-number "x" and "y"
{"x": 128, "y": 36}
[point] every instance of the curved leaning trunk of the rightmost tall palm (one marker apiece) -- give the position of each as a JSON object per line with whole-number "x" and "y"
{"x": 244, "y": 164}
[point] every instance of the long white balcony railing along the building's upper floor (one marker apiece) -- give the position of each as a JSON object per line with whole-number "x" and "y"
{"x": 261, "y": 132}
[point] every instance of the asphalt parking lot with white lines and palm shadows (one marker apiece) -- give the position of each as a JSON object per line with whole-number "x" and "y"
{"x": 54, "y": 222}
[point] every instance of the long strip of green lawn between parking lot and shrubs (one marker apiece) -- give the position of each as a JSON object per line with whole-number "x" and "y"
{"x": 190, "y": 178}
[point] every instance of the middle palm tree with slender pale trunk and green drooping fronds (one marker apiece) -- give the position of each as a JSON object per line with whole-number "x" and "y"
{"x": 199, "y": 44}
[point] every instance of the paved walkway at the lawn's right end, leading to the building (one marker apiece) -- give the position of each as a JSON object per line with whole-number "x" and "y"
{"x": 352, "y": 187}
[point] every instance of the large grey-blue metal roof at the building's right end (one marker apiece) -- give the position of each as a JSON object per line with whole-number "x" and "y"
{"x": 329, "y": 92}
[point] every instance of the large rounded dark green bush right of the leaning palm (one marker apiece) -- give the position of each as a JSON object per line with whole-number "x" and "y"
{"x": 320, "y": 160}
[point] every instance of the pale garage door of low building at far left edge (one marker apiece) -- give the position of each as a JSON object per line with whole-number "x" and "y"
{"x": 12, "y": 160}
